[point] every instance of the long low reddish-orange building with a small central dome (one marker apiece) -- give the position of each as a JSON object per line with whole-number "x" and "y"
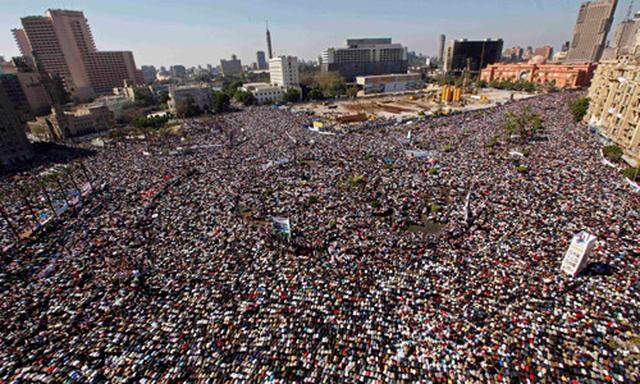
{"x": 565, "y": 76}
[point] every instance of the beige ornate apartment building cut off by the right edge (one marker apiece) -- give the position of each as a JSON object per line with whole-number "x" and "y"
{"x": 615, "y": 103}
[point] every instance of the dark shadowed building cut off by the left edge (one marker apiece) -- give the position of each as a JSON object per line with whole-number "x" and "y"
{"x": 14, "y": 145}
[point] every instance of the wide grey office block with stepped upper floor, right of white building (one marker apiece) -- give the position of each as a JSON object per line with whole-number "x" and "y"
{"x": 363, "y": 57}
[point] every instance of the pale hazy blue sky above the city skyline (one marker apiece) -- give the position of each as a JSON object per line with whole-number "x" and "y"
{"x": 192, "y": 32}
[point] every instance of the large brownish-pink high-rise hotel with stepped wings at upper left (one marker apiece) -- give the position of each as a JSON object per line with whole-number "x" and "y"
{"x": 62, "y": 42}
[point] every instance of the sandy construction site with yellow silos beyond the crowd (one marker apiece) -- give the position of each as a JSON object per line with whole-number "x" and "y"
{"x": 431, "y": 101}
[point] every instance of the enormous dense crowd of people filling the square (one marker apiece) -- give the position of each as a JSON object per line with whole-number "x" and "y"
{"x": 398, "y": 268}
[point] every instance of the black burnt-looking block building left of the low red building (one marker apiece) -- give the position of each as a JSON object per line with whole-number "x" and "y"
{"x": 476, "y": 54}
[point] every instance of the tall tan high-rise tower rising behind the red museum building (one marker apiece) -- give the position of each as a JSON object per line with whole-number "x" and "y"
{"x": 591, "y": 29}
